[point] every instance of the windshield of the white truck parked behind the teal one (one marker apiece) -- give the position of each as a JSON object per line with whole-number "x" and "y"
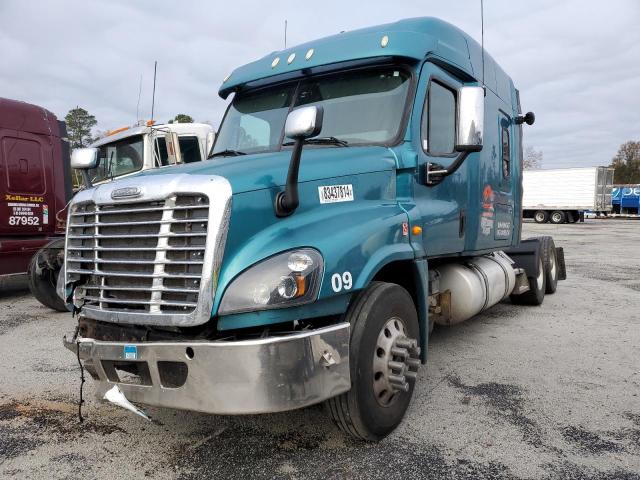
{"x": 118, "y": 158}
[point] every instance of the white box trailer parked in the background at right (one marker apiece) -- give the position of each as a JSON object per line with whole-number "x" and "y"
{"x": 563, "y": 194}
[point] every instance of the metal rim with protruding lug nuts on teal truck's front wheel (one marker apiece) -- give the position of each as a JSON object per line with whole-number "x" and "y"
{"x": 395, "y": 360}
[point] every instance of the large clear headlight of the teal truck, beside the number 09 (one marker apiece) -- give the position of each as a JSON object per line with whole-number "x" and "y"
{"x": 284, "y": 280}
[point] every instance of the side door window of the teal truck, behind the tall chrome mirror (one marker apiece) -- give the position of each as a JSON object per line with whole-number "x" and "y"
{"x": 438, "y": 128}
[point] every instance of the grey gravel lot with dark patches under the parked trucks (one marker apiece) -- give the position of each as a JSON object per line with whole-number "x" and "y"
{"x": 540, "y": 392}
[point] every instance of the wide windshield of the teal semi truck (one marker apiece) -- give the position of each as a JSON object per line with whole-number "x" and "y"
{"x": 360, "y": 108}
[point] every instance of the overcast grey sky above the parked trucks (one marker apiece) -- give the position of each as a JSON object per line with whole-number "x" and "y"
{"x": 576, "y": 62}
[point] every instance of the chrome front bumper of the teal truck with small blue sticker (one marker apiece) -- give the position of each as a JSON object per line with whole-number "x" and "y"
{"x": 225, "y": 377}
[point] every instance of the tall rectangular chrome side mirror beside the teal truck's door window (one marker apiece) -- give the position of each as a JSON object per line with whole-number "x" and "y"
{"x": 470, "y": 119}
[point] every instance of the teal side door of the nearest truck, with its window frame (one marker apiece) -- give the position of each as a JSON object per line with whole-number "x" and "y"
{"x": 443, "y": 206}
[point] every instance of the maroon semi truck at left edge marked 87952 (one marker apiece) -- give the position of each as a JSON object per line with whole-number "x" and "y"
{"x": 35, "y": 185}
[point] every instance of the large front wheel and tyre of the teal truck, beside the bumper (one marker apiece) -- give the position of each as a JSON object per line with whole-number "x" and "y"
{"x": 385, "y": 357}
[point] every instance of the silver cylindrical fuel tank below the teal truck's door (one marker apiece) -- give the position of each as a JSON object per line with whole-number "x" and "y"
{"x": 475, "y": 285}
